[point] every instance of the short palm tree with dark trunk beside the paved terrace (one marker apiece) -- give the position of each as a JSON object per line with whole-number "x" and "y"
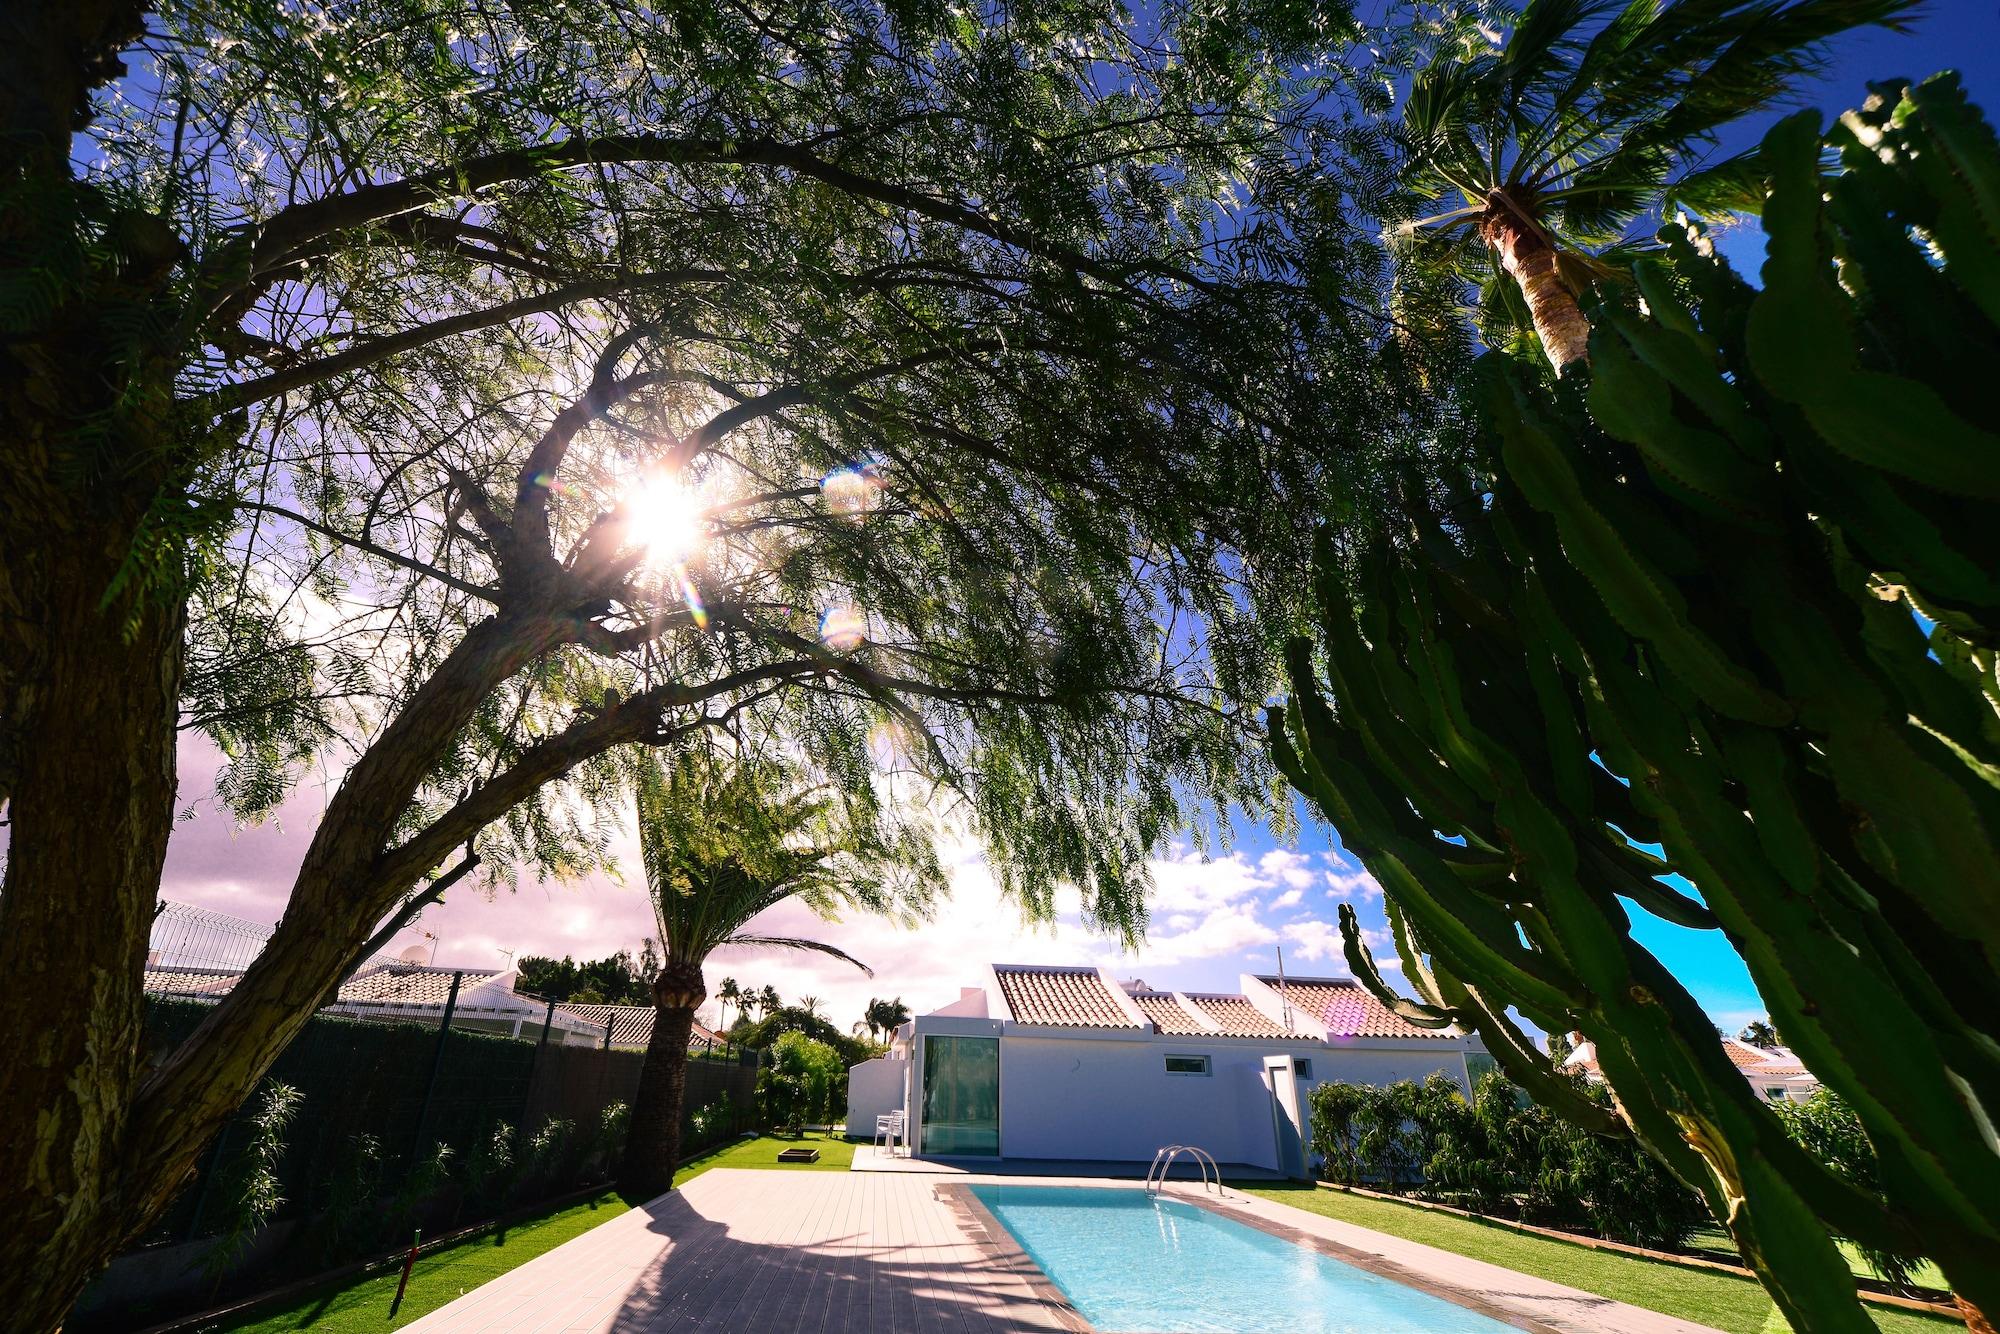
{"x": 725, "y": 839}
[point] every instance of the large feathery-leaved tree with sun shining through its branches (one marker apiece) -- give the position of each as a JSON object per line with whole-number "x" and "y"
{"x": 367, "y": 379}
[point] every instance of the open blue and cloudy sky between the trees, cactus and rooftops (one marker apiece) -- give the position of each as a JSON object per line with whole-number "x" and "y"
{"x": 1213, "y": 921}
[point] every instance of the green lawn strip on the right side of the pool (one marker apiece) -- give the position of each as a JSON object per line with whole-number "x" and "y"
{"x": 1723, "y": 1301}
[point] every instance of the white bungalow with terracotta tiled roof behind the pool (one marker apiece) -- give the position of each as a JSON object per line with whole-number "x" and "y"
{"x": 1073, "y": 1065}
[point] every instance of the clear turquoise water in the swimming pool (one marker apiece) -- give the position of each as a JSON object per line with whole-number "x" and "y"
{"x": 1131, "y": 1261}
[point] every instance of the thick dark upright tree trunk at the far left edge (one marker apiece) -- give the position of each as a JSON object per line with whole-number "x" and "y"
{"x": 89, "y": 697}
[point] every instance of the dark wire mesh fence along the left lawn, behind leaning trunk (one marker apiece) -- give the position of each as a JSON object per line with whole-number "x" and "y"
{"x": 381, "y": 1091}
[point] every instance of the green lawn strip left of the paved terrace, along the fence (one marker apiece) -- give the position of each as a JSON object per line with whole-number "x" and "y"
{"x": 361, "y": 1305}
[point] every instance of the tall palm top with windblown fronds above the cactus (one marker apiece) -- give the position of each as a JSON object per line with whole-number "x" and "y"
{"x": 1587, "y": 117}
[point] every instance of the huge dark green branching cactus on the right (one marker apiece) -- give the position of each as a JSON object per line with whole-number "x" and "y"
{"x": 1687, "y": 615}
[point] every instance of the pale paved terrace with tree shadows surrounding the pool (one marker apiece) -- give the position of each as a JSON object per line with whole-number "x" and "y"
{"x": 883, "y": 1253}
